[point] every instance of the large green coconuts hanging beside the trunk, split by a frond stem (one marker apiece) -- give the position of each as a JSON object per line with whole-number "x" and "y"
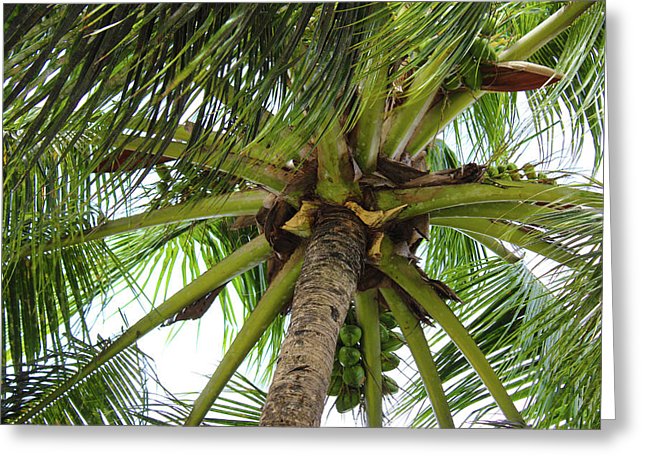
{"x": 349, "y": 372}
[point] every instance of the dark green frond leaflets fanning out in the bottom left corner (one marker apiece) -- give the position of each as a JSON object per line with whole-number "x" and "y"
{"x": 114, "y": 394}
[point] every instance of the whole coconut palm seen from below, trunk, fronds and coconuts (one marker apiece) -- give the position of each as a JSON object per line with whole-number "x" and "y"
{"x": 351, "y": 170}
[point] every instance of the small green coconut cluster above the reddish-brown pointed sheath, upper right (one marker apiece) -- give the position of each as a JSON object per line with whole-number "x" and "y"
{"x": 468, "y": 72}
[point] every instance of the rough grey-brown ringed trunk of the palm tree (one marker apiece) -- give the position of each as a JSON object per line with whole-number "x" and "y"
{"x": 331, "y": 268}
